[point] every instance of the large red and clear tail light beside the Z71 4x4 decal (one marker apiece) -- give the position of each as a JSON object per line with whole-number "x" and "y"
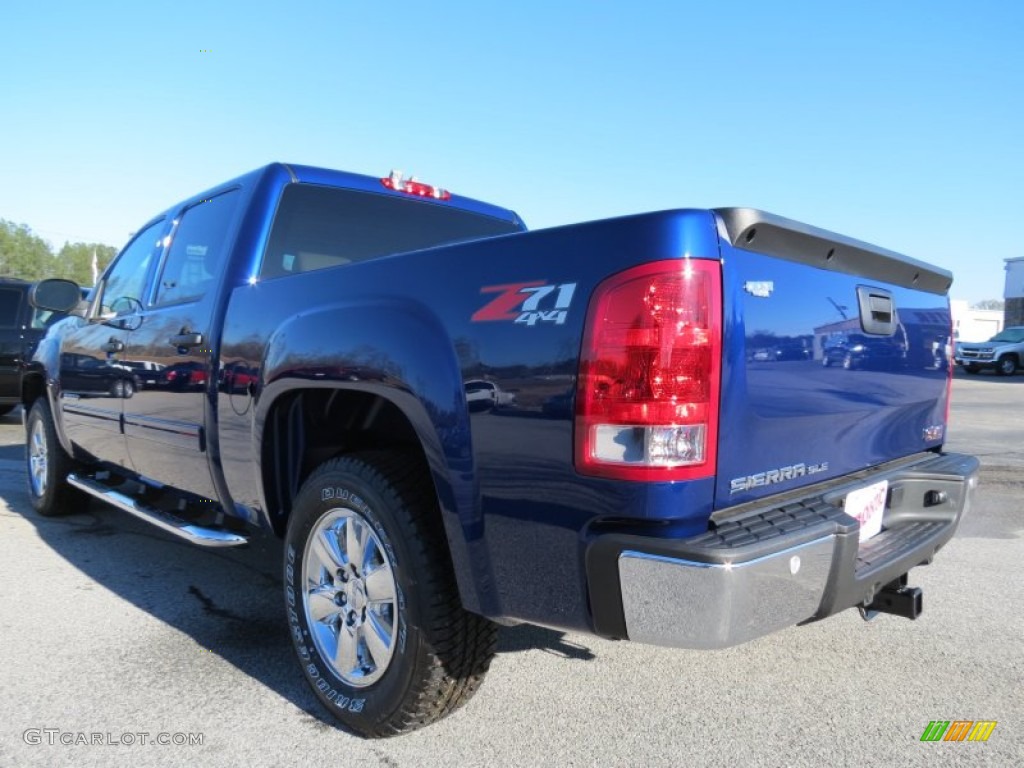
{"x": 651, "y": 374}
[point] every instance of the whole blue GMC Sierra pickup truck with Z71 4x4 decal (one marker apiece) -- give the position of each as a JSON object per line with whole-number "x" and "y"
{"x": 628, "y": 428}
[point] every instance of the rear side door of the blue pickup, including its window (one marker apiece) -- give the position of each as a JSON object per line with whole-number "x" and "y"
{"x": 165, "y": 423}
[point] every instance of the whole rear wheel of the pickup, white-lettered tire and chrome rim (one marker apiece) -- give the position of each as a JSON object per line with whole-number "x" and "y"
{"x": 431, "y": 655}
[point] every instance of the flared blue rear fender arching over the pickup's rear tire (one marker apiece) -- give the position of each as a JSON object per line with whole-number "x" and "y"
{"x": 401, "y": 352}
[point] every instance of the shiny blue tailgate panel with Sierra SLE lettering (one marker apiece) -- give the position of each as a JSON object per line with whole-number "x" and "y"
{"x": 778, "y": 393}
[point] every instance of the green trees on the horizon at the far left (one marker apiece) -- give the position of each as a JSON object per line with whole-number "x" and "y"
{"x": 26, "y": 255}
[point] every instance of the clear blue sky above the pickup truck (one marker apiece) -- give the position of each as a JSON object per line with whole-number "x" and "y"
{"x": 899, "y": 123}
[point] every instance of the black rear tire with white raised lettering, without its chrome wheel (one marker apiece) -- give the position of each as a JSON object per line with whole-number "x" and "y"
{"x": 439, "y": 660}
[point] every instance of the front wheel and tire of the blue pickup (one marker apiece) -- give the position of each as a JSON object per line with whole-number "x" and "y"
{"x": 49, "y": 466}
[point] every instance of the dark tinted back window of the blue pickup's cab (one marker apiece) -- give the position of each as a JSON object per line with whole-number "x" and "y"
{"x": 322, "y": 227}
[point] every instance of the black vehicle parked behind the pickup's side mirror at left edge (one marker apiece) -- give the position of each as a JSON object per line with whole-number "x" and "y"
{"x": 22, "y": 326}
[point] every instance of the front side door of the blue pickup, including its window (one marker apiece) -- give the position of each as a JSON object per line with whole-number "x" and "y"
{"x": 93, "y": 389}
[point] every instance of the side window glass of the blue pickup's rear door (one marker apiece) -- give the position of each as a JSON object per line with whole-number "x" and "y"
{"x": 198, "y": 250}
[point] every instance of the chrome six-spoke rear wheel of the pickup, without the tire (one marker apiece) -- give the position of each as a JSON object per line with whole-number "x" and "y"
{"x": 350, "y": 596}
